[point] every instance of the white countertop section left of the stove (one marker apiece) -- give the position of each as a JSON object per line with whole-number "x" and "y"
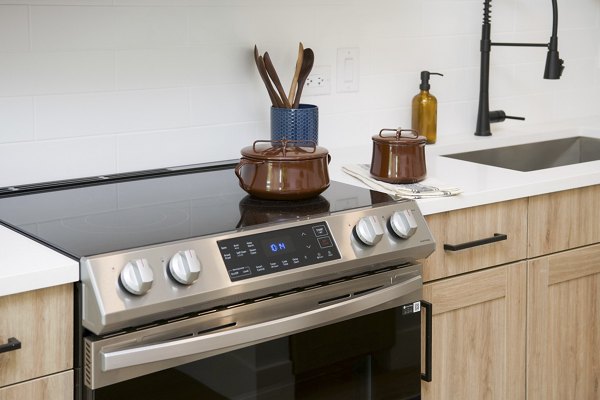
{"x": 28, "y": 265}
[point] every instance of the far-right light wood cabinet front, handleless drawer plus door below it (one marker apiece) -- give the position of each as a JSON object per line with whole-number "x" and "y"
{"x": 563, "y": 334}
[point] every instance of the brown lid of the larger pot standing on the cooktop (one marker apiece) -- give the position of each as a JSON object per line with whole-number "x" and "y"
{"x": 282, "y": 150}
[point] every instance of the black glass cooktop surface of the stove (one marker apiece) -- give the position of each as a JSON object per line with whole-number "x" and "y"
{"x": 105, "y": 214}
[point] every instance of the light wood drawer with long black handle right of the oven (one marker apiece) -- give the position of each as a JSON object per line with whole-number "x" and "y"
{"x": 476, "y": 228}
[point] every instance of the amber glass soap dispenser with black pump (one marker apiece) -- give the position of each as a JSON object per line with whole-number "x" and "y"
{"x": 424, "y": 109}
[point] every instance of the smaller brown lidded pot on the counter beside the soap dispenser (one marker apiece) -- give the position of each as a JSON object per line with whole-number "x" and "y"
{"x": 398, "y": 158}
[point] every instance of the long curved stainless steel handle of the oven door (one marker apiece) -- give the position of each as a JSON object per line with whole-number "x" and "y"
{"x": 215, "y": 343}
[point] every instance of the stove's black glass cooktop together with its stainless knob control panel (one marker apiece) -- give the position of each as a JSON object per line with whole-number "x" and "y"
{"x": 158, "y": 246}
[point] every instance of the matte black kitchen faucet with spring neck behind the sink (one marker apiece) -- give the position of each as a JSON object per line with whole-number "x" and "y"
{"x": 554, "y": 68}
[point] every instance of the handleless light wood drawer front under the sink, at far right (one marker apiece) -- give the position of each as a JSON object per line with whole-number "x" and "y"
{"x": 564, "y": 220}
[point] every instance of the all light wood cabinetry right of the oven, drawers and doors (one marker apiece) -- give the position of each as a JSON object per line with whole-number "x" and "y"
{"x": 549, "y": 296}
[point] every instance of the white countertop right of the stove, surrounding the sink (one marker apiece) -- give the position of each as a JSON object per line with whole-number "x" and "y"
{"x": 483, "y": 184}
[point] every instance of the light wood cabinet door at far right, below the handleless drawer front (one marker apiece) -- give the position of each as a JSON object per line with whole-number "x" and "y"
{"x": 563, "y": 332}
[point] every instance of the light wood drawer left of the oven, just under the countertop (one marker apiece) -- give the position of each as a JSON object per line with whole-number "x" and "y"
{"x": 42, "y": 320}
